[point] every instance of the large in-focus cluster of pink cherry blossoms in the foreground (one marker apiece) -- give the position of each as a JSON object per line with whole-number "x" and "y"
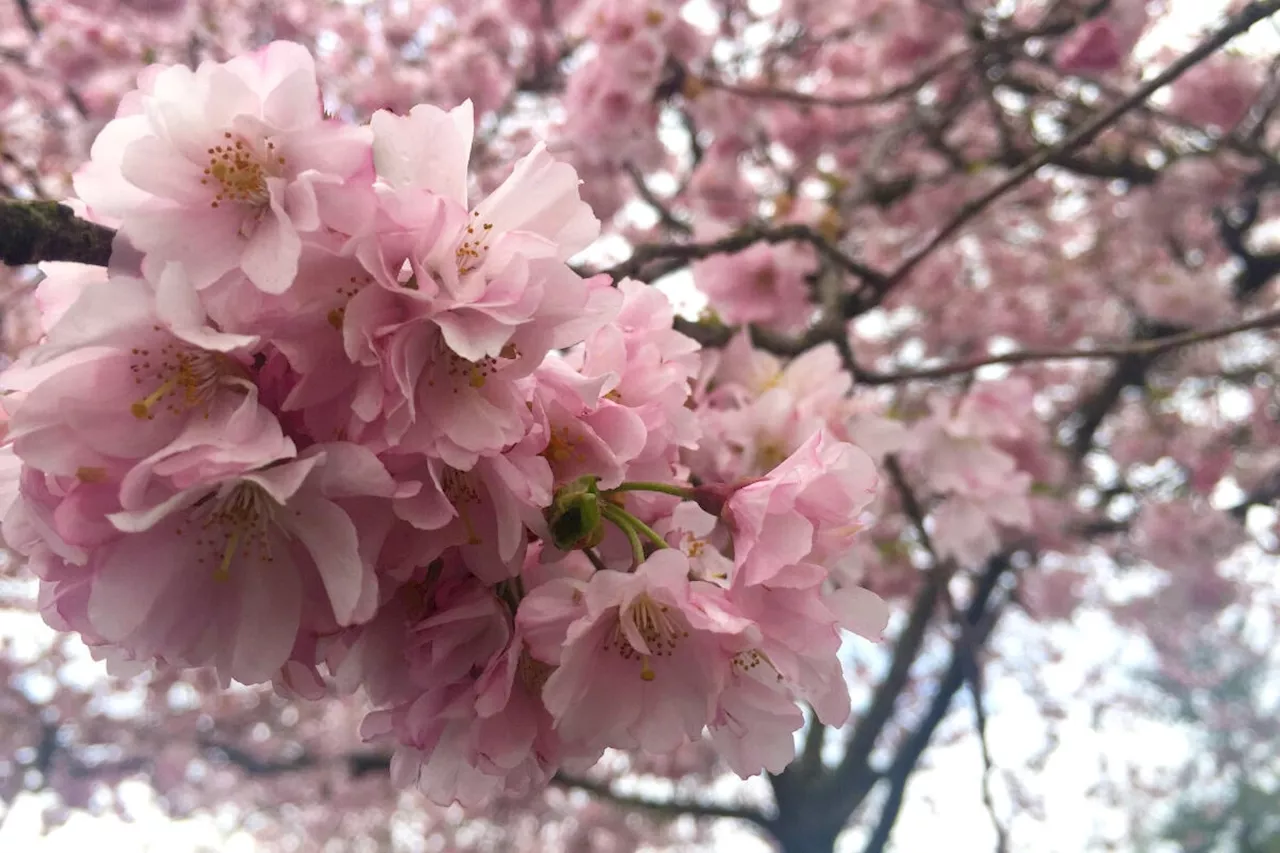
{"x": 328, "y": 425}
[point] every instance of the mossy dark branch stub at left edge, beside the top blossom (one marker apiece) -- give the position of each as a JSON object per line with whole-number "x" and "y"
{"x": 39, "y": 231}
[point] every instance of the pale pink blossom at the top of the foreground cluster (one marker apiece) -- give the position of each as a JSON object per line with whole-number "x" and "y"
{"x": 228, "y": 167}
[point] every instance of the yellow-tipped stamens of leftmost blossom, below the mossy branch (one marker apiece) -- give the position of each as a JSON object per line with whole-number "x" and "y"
{"x": 186, "y": 378}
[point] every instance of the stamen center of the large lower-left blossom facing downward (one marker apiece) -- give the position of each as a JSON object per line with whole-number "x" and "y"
{"x": 235, "y": 524}
